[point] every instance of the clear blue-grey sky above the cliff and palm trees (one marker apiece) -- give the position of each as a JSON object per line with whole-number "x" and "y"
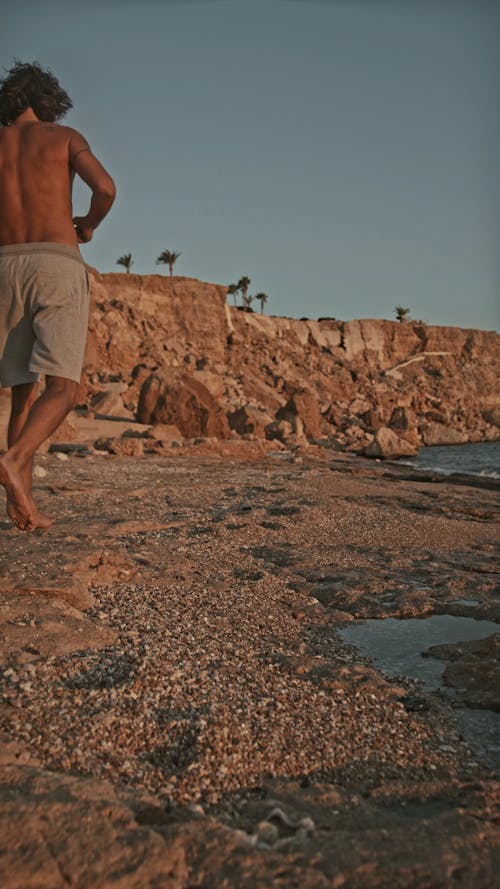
{"x": 344, "y": 154}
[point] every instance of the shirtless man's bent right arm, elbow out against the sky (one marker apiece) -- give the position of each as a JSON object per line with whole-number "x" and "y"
{"x": 99, "y": 181}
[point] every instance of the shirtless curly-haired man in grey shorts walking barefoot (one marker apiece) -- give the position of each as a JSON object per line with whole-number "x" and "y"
{"x": 43, "y": 281}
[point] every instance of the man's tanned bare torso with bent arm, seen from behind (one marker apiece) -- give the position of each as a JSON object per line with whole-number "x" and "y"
{"x": 38, "y": 161}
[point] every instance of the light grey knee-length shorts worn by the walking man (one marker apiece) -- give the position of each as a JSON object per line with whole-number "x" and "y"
{"x": 44, "y": 310}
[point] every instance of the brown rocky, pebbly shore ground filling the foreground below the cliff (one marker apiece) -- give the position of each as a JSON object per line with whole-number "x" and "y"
{"x": 178, "y": 707}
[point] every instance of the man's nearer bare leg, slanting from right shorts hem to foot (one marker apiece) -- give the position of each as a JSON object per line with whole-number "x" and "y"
{"x": 45, "y": 415}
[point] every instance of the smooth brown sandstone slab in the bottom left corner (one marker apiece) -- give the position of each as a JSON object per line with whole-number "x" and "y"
{"x": 58, "y": 830}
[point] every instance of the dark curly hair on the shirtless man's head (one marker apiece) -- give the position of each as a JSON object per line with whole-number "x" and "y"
{"x": 29, "y": 86}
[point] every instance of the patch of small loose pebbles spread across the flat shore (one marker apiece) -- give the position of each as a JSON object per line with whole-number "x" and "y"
{"x": 197, "y": 699}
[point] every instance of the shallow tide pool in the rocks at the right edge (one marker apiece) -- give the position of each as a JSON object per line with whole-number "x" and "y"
{"x": 396, "y": 647}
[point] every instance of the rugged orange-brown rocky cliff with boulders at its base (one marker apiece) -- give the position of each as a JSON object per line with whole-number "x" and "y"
{"x": 172, "y": 351}
